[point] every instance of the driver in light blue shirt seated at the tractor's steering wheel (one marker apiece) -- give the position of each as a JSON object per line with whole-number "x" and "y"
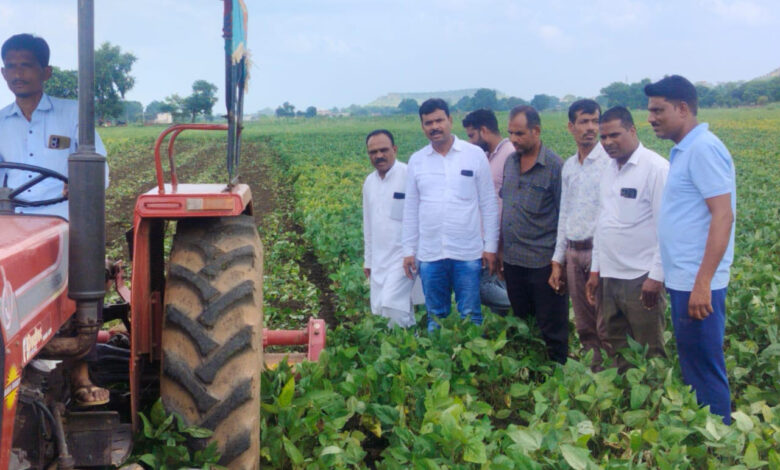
{"x": 41, "y": 130}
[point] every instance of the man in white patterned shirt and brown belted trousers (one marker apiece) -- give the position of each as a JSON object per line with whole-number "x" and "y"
{"x": 571, "y": 260}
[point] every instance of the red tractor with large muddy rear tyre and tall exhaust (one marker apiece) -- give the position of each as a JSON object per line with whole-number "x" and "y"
{"x": 195, "y": 321}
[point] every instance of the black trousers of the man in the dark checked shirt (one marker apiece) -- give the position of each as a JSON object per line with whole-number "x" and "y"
{"x": 530, "y": 295}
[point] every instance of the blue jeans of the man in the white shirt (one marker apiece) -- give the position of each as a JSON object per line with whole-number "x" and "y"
{"x": 440, "y": 278}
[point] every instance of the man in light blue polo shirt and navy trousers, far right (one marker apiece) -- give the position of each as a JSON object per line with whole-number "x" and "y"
{"x": 696, "y": 237}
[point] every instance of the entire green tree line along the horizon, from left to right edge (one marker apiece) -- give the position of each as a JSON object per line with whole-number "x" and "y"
{"x": 113, "y": 80}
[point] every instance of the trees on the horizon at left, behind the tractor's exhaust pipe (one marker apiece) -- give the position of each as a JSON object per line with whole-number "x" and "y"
{"x": 113, "y": 81}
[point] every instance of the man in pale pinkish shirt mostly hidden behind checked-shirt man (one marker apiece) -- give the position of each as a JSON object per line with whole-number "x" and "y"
{"x": 481, "y": 127}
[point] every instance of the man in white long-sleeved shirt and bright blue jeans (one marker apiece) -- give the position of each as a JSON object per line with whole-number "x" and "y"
{"x": 450, "y": 221}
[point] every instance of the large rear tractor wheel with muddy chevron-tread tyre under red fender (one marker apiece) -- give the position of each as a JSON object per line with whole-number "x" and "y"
{"x": 212, "y": 333}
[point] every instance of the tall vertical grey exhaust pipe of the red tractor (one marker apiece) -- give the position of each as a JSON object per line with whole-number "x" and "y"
{"x": 87, "y": 206}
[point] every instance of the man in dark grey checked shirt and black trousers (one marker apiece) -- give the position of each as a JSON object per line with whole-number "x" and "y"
{"x": 532, "y": 195}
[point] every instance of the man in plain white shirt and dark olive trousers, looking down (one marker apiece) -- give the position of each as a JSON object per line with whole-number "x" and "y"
{"x": 626, "y": 255}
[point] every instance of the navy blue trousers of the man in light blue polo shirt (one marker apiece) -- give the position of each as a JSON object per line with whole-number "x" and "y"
{"x": 700, "y": 349}
